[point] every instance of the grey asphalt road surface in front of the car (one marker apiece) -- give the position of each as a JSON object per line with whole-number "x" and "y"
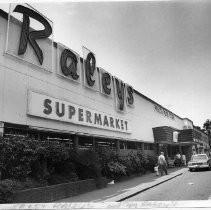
{"x": 189, "y": 186}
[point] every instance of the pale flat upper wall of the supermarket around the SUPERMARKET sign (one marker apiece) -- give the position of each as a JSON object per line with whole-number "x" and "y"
{"x": 18, "y": 77}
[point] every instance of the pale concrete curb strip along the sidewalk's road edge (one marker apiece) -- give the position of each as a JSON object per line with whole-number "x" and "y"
{"x": 145, "y": 186}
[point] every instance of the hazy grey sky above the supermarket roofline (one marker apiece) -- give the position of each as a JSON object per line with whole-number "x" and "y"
{"x": 161, "y": 48}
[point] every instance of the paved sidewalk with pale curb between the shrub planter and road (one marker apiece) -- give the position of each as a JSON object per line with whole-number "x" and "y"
{"x": 125, "y": 189}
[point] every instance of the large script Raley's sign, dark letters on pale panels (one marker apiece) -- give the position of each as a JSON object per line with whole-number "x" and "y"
{"x": 68, "y": 62}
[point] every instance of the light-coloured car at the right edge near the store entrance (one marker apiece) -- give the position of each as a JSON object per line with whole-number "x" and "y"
{"x": 199, "y": 161}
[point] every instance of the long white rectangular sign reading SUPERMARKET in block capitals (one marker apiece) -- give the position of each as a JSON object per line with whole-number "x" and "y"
{"x": 52, "y": 108}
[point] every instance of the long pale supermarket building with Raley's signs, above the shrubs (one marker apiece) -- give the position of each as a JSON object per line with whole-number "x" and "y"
{"x": 47, "y": 91}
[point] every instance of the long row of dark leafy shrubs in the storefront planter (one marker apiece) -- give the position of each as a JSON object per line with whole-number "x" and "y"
{"x": 27, "y": 163}
